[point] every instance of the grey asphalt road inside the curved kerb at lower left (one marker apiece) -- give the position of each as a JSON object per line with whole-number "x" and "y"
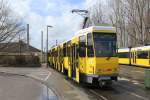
{"x": 21, "y": 88}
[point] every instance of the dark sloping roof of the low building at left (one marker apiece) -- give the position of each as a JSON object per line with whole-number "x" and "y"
{"x": 17, "y": 47}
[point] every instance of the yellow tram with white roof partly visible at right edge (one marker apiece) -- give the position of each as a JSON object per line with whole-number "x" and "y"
{"x": 138, "y": 56}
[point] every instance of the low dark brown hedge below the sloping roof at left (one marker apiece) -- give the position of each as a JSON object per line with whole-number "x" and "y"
{"x": 20, "y": 60}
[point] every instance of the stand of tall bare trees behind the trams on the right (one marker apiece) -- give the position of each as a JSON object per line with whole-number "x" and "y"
{"x": 130, "y": 17}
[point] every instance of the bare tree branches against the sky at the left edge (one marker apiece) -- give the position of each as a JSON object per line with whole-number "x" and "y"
{"x": 10, "y": 25}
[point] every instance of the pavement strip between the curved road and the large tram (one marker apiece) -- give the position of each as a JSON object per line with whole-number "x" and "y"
{"x": 66, "y": 88}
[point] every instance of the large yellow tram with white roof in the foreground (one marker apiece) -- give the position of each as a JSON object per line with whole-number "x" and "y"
{"x": 89, "y": 57}
